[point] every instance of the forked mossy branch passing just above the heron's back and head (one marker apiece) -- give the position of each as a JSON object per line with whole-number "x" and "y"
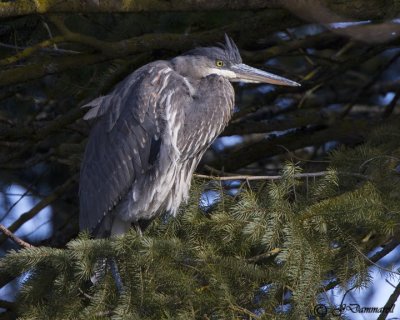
{"x": 145, "y": 43}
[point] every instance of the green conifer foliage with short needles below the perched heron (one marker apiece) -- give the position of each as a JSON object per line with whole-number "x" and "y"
{"x": 268, "y": 252}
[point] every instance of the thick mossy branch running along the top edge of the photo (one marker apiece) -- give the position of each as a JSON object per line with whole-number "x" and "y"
{"x": 310, "y": 9}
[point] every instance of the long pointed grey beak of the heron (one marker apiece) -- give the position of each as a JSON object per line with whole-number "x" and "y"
{"x": 246, "y": 73}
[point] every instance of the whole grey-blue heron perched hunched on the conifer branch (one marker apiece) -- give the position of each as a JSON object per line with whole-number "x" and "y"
{"x": 151, "y": 132}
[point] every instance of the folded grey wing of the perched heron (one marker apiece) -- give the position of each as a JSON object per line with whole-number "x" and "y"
{"x": 124, "y": 142}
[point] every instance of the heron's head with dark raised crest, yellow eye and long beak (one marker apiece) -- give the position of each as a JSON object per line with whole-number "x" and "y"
{"x": 226, "y": 61}
